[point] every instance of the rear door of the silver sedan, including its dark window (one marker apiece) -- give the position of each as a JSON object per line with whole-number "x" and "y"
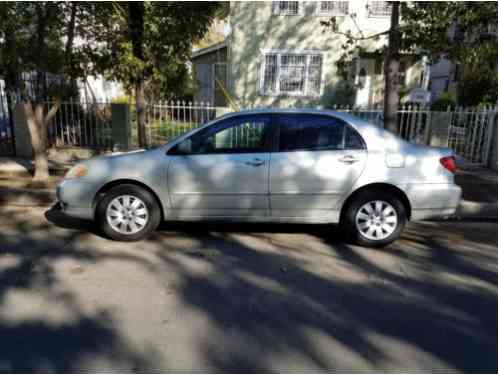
{"x": 317, "y": 160}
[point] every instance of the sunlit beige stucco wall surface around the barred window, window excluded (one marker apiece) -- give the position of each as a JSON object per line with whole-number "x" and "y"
{"x": 255, "y": 28}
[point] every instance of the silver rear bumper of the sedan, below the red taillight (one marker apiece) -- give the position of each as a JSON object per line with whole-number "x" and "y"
{"x": 433, "y": 201}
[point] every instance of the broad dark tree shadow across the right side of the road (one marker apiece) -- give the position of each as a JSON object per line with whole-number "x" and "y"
{"x": 431, "y": 308}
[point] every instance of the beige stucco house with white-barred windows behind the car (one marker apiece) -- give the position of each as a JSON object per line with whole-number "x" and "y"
{"x": 279, "y": 54}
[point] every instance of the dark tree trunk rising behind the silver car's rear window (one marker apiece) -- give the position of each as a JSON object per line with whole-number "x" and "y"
{"x": 391, "y": 69}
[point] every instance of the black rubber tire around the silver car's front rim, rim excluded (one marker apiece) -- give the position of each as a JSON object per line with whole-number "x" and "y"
{"x": 153, "y": 208}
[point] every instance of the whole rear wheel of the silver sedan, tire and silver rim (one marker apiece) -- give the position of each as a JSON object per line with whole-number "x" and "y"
{"x": 374, "y": 219}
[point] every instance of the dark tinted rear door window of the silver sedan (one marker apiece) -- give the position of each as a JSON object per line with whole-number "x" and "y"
{"x": 310, "y": 132}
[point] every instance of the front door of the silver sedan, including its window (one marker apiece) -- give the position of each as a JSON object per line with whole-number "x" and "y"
{"x": 222, "y": 170}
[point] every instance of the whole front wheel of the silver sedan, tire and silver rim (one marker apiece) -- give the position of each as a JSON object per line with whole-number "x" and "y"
{"x": 128, "y": 213}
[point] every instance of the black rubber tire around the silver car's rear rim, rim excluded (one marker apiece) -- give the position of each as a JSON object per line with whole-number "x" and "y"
{"x": 348, "y": 221}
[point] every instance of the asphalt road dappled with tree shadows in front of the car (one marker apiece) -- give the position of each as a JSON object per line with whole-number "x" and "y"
{"x": 245, "y": 298}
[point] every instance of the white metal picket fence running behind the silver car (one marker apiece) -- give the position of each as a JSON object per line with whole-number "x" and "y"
{"x": 468, "y": 131}
